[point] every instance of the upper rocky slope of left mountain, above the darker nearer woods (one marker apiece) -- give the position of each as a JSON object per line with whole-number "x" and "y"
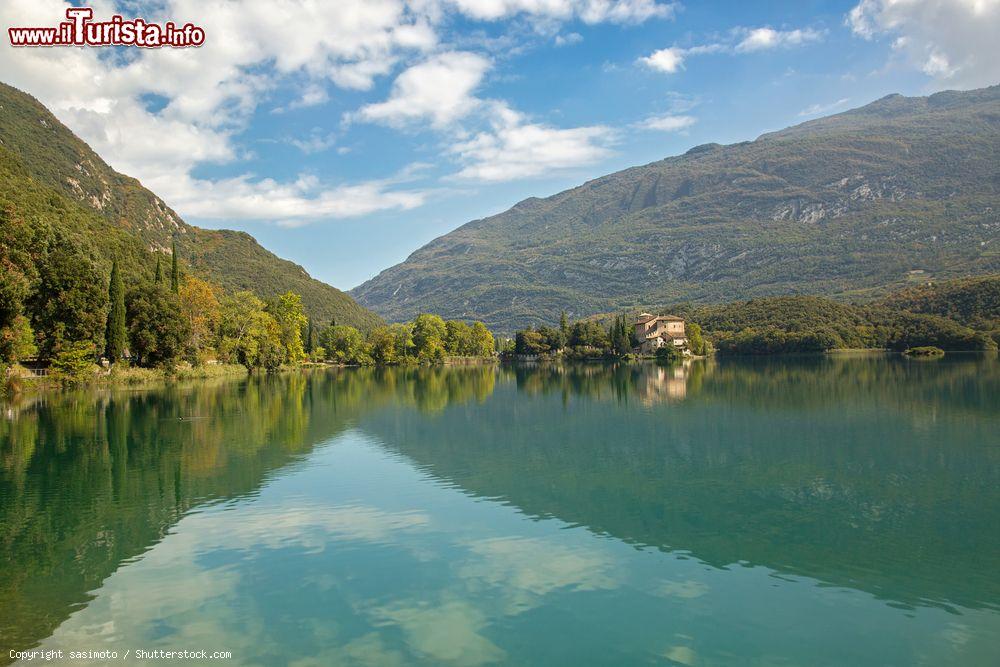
{"x": 39, "y": 147}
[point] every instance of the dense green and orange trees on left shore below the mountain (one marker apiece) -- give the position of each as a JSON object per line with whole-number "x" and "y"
{"x": 58, "y": 305}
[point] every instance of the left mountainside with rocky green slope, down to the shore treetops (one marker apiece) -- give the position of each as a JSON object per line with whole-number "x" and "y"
{"x": 52, "y": 184}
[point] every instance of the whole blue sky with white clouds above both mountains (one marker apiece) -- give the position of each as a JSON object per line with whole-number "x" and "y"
{"x": 346, "y": 135}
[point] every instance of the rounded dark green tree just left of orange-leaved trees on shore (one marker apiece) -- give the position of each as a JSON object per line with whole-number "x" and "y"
{"x": 158, "y": 331}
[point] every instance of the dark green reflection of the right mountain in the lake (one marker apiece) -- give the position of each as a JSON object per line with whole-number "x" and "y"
{"x": 875, "y": 474}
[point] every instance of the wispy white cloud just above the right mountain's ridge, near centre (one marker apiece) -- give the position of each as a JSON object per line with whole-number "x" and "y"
{"x": 514, "y": 148}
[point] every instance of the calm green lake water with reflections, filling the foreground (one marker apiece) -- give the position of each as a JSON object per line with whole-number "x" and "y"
{"x": 837, "y": 511}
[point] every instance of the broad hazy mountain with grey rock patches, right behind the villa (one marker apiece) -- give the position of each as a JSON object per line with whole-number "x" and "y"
{"x": 845, "y": 205}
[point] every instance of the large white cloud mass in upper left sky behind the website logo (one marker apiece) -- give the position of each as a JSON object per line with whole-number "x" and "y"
{"x": 211, "y": 94}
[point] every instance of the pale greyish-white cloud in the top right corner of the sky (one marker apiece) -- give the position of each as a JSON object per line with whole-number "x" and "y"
{"x": 952, "y": 41}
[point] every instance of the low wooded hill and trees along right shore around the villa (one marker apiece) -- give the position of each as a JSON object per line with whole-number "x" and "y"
{"x": 962, "y": 314}
